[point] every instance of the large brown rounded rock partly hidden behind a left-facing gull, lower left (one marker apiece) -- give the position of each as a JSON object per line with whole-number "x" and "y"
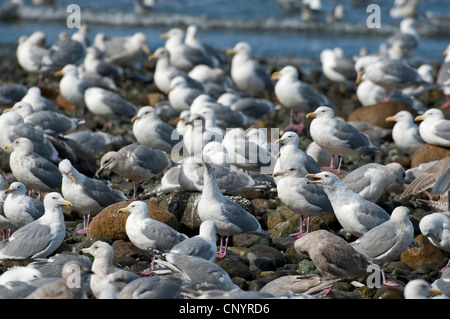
{"x": 111, "y": 224}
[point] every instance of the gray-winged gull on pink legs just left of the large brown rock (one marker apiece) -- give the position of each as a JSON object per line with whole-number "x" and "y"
{"x": 88, "y": 195}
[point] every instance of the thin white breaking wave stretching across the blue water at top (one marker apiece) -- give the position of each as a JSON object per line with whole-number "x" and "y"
{"x": 131, "y": 19}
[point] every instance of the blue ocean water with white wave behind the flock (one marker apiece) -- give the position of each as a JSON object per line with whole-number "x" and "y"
{"x": 272, "y": 32}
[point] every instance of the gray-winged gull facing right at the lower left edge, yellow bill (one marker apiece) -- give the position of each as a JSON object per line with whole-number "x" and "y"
{"x": 41, "y": 237}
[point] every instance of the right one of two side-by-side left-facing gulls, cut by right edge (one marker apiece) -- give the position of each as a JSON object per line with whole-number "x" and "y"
{"x": 434, "y": 128}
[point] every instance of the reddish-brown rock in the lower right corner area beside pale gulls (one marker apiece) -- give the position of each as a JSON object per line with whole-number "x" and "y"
{"x": 426, "y": 254}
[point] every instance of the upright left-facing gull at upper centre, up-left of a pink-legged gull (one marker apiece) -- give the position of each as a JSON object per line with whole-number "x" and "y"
{"x": 246, "y": 73}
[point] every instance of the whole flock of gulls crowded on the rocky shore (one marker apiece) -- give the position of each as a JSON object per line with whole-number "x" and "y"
{"x": 212, "y": 150}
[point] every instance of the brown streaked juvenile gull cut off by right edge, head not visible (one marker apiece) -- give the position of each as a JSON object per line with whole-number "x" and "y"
{"x": 428, "y": 178}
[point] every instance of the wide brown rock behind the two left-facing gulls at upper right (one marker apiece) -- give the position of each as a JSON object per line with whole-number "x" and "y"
{"x": 376, "y": 114}
